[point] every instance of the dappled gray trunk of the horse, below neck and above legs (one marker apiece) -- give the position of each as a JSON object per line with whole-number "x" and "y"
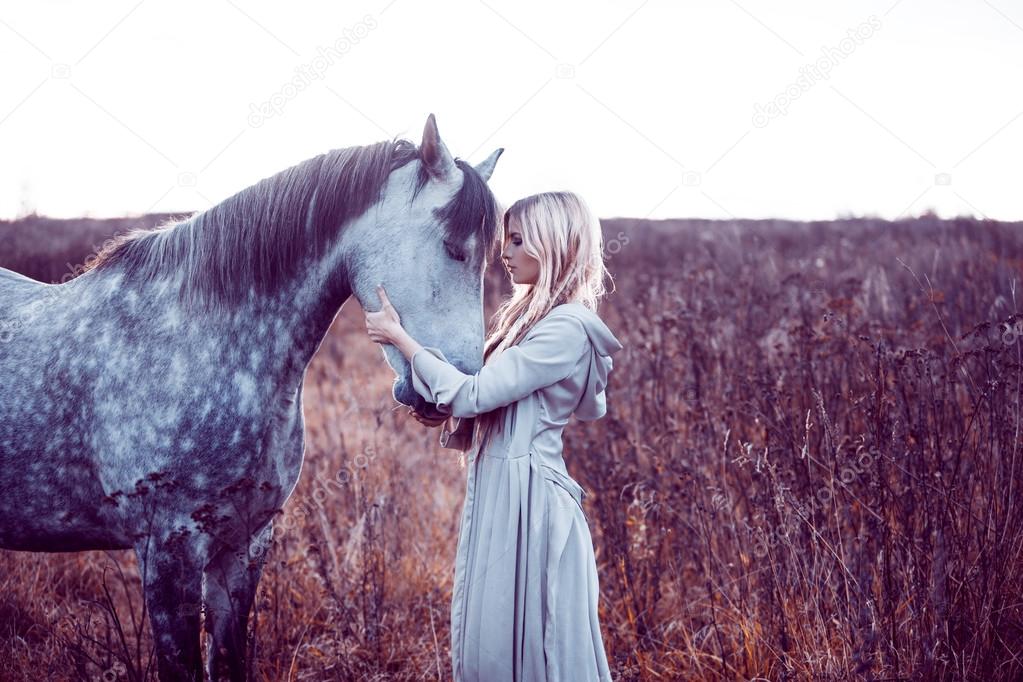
{"x": 144, "y": 390}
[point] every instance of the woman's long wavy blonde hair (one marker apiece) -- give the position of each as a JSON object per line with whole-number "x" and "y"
{"x": 563, "y": 235}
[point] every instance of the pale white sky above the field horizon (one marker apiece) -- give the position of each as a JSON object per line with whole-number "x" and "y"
{"x": 648, "y": 109}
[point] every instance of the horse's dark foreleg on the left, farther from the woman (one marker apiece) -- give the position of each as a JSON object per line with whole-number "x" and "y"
{"x": 172, "y": 584}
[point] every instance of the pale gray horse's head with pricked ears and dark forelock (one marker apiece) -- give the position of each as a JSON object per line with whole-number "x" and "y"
{"x": 428, "y": 242}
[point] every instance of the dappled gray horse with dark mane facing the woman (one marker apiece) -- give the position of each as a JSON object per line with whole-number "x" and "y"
{"x": 155, "y": 402}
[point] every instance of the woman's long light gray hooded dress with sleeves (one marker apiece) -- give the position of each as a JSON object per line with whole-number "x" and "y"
{"x": 525, "y": 598}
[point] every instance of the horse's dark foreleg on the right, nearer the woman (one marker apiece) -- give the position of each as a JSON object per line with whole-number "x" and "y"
{"x": 232, "y": 578}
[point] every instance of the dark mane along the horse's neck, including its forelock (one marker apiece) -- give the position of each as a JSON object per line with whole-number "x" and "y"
{"x": 263, "y": 235}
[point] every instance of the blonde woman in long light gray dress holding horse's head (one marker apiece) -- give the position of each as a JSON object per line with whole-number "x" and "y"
{"x": 525, "y": 597}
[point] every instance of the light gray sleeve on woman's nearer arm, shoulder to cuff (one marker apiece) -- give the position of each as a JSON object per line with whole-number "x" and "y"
{"x": 547, "y": 355}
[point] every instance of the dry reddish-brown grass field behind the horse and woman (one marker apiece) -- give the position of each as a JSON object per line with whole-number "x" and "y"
{"x": 811, "y": 470}
